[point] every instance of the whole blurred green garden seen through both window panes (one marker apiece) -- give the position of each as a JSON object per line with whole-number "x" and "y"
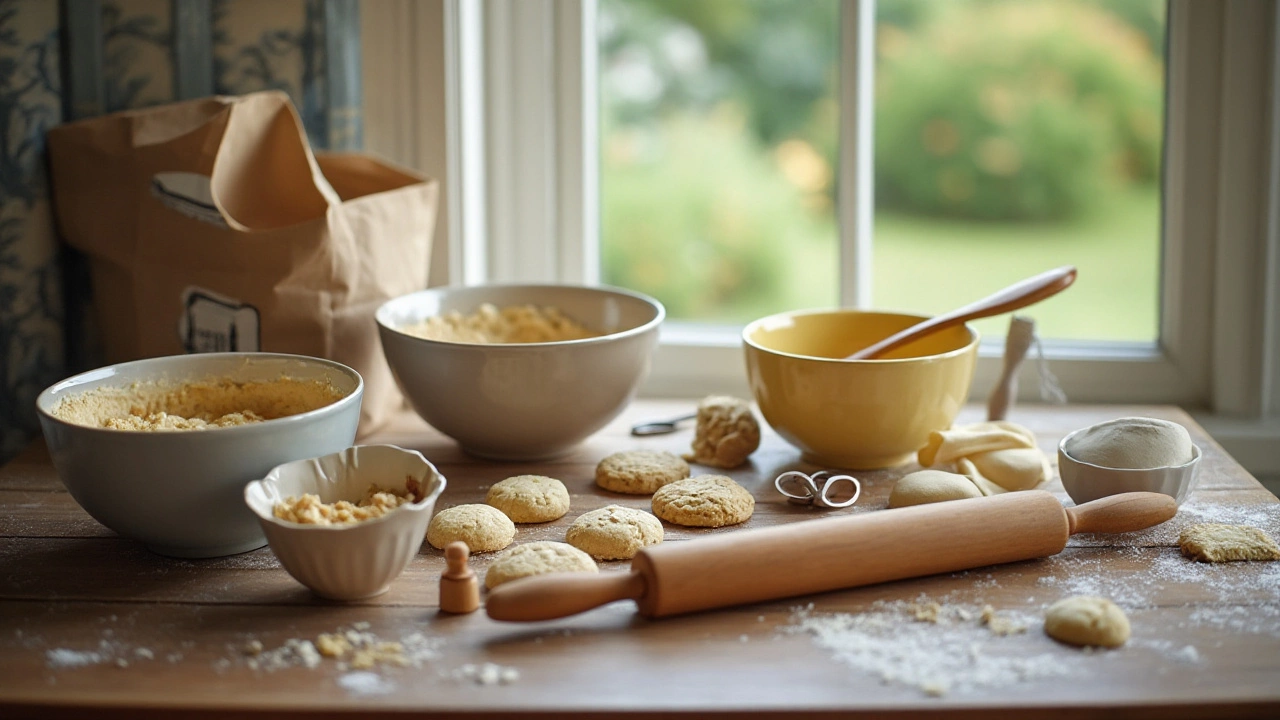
{"x": 1012, "y": 136}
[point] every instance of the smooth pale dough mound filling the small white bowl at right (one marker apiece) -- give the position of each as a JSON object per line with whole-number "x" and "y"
{"x": 1133, "y": 444}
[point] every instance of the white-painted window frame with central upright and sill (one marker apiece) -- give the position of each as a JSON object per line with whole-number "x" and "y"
{"x": 523, "y": 188}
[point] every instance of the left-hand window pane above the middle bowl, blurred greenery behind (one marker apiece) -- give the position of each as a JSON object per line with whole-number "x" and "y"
{"x": 719, "y": 125}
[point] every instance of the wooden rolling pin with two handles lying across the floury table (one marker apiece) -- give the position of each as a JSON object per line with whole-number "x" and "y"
{"x": 825, "y": 555}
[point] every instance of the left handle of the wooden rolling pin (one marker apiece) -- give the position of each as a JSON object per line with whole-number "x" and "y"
{"x": 559, "y": 595}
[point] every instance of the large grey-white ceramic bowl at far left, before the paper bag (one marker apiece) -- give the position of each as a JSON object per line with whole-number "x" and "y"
{"x": 182, "y": 493}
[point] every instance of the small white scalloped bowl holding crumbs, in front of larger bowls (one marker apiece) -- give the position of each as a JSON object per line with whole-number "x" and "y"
{"x": 356, "y": 560}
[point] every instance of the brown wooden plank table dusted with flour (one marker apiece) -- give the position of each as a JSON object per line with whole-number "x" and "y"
{"x": 94, "y": 625}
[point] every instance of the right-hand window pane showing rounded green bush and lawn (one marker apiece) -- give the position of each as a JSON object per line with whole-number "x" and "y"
{"x": 1014, "y": 136}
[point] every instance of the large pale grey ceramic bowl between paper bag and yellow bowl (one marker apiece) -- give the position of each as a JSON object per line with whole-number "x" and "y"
{"x": 523, "y": 402}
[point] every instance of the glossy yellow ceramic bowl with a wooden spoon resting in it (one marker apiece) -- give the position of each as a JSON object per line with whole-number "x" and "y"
{"x": 857, "y": 414}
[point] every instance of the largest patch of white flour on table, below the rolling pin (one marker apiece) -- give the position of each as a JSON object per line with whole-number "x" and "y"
{"x": 936, "y": 649}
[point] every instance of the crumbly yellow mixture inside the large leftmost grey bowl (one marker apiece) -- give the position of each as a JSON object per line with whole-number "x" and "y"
{"x": 217, "y": 403}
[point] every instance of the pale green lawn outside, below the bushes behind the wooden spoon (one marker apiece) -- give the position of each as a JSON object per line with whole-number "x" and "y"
{"x": 932, "y": 266}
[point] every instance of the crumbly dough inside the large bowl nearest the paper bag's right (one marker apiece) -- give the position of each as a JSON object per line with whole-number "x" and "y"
{"x": 514, "y": 325}
